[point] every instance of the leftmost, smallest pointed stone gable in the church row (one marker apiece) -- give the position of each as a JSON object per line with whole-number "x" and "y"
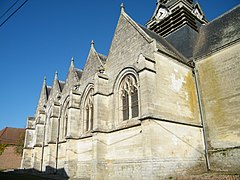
{"x": 44, "y": 95}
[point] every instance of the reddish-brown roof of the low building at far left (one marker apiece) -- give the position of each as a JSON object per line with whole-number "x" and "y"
{"x": 11, "y": 135}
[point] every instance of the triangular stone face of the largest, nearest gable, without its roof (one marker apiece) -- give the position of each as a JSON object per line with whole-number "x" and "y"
{"x": 128, "y": 42}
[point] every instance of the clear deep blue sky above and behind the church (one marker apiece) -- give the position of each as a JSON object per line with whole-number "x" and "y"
{"x": 43, "y": 36}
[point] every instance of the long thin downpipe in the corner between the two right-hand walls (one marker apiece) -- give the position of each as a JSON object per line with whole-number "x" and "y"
{"x": 201, "y": 115}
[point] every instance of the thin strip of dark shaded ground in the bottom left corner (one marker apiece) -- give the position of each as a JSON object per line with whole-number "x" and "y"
{"x": 14, "y": 176}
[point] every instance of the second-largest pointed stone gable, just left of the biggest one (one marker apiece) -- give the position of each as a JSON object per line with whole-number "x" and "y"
{"x": 93, "y": 63}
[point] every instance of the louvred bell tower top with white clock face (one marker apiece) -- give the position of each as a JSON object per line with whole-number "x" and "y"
{"x": 171, "y": 15}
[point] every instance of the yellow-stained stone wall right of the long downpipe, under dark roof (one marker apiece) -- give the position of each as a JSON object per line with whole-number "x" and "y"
{"x": 220, "y": 86}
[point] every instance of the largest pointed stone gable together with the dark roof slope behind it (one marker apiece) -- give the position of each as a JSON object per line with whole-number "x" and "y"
{"x": 130, "y": 40}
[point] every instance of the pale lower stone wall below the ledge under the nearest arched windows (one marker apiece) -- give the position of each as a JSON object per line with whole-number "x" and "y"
{"x": 141, "y": 152}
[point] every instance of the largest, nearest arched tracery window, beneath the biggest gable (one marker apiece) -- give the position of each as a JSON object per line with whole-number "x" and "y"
{"x": 129, "y": 98}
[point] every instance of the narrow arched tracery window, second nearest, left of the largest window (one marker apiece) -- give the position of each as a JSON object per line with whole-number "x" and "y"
{"x": 89, "y": 109}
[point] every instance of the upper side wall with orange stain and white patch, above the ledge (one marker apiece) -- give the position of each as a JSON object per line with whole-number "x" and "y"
{"x": 175, "y": 89}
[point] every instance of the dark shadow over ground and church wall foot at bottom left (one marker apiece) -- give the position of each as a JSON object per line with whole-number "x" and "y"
{"x": 26, "y": 174}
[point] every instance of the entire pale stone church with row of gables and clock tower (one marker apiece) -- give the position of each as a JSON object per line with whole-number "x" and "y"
{"x": 165, "y": 101}
